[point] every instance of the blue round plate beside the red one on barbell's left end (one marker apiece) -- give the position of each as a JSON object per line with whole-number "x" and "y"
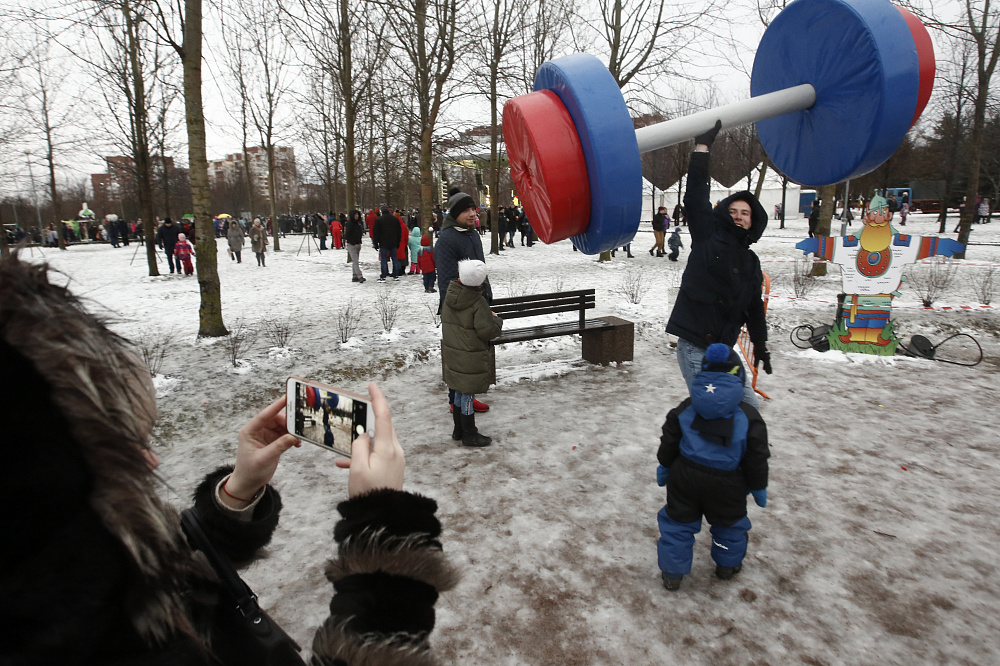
{"x": 590, "y": 94}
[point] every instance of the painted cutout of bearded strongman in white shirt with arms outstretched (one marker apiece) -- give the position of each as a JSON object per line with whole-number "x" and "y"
{"x": 871, "y": 266}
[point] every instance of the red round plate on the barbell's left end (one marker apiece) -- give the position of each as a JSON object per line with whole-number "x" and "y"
{"x": 547, "y": 165}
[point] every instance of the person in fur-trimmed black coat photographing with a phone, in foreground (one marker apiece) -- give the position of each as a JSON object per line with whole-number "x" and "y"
{"x": 95, "y": 568}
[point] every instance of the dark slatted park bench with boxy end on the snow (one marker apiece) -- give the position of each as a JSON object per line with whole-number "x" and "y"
{"x": 605, "y": 339}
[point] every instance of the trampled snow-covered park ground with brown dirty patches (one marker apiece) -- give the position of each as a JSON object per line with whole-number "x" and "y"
{"x": 878, "y": 545}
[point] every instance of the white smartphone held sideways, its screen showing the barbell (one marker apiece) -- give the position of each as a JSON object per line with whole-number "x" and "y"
{"x": 328, "y": 418}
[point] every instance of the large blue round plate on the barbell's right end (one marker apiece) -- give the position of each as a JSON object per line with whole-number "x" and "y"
{"x": 860, "y": 57}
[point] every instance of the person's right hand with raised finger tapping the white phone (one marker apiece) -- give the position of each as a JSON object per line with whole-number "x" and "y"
{"x": 378, "y": 465}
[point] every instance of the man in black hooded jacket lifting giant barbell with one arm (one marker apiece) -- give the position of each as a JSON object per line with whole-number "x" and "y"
{"x": 721, "y": 286}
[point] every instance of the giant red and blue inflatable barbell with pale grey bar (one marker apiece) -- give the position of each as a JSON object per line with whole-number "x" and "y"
{"x": 835, "y": 86}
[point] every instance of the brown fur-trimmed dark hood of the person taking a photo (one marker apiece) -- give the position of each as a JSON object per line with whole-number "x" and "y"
{"x": 83, "y": 404}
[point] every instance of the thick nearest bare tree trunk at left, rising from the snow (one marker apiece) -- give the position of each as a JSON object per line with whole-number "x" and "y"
{"x": 210, "y": 311}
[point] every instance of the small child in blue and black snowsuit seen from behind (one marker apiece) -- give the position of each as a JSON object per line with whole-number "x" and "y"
{"x": 712, "y": 453}
